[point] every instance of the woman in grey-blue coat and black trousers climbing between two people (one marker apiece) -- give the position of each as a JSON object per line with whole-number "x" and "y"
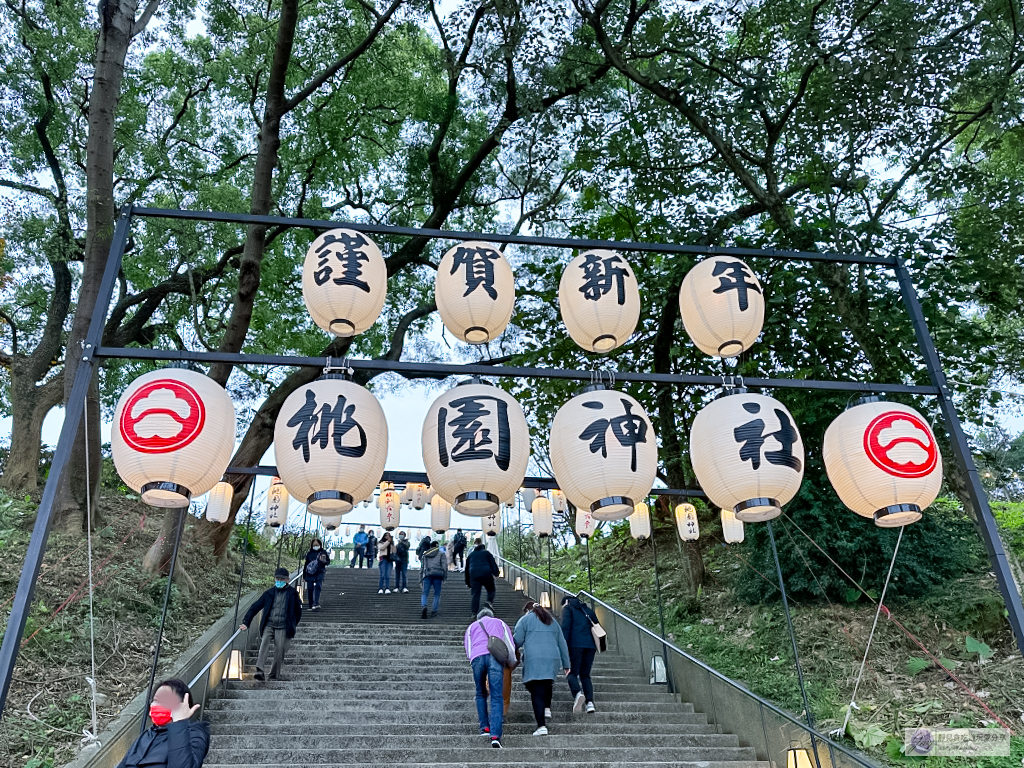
{"x": 544, "y": 654}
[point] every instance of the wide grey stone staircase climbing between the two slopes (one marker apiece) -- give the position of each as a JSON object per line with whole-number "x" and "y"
{"x": 369, "y": 684}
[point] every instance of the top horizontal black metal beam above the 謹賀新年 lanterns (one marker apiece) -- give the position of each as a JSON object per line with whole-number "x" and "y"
{"x": 527, "y": 240}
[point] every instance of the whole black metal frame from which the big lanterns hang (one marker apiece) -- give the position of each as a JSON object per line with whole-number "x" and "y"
{"x": 93, "y": 351}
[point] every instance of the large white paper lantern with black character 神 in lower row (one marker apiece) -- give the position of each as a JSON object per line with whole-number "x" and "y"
{"x": 604, "y": 453}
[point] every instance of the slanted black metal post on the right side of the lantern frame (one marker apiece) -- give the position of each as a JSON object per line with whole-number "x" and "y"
{"x": 979, "y": 500}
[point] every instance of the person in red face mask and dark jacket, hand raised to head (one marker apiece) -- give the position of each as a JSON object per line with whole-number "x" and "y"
{"x": 175, "y": 741}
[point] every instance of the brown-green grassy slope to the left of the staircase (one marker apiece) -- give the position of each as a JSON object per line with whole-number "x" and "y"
{"x": 50, "y": 680}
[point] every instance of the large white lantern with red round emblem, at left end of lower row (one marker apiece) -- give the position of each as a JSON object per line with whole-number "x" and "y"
{"x": 174, "y": 436}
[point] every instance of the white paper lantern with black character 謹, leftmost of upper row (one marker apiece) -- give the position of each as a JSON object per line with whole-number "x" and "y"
{"x": 345, "y": 282}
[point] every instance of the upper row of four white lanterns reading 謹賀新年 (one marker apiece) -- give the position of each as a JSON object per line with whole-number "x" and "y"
{"x": 345, "y": 286}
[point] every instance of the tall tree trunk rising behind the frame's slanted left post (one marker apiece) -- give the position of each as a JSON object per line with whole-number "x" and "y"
{"x": 116, "y": 21}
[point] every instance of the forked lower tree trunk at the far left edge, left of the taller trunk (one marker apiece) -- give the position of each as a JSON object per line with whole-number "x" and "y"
{"x": 30, "y": 405}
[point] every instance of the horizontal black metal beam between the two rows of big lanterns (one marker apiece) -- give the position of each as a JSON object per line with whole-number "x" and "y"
{"x": 444, "y": 370}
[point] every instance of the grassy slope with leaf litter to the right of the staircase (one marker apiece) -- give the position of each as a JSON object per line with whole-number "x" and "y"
{"x": 750, "y": 644}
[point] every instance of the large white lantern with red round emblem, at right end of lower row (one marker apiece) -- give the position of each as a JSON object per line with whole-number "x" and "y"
{"x": 884, "y": 462}
